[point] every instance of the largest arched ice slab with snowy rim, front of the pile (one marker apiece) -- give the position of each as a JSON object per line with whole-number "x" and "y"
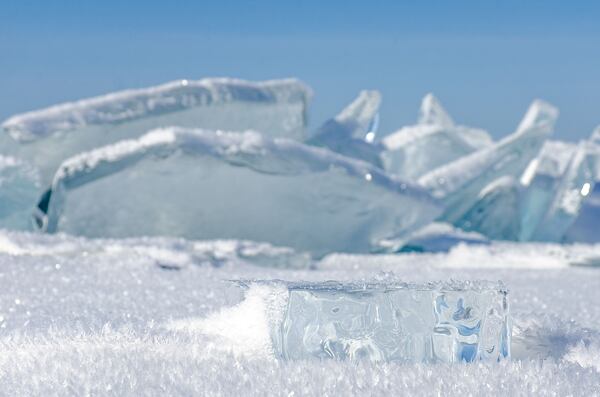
{"x": 206, "y": 185}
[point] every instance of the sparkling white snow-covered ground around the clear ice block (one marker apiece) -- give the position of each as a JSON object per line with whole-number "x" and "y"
{"x": 157, "y": 317}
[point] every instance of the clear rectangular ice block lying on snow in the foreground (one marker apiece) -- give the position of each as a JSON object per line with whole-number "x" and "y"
{"x": 388, "y": 321}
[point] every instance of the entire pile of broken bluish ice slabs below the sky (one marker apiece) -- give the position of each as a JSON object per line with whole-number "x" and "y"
{"x": 230, "y": 159}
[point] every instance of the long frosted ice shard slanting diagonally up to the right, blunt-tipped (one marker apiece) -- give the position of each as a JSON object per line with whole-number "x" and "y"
{"x": 460, "y": 183}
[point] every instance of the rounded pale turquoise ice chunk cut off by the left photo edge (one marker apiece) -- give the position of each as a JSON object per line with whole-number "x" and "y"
{"x": 19, "y": 188}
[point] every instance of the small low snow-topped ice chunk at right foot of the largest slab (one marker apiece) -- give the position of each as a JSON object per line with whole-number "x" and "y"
{"x": 440, "y": 237}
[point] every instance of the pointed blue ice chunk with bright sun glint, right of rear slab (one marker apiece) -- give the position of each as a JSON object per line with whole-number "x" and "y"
{"x": 352, "y": 132}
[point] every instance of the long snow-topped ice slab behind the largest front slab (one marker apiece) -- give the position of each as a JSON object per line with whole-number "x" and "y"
{"x": 48, "y": 136}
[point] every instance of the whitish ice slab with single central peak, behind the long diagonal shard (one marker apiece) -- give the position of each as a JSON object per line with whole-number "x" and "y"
{"x": 436, "y": 140}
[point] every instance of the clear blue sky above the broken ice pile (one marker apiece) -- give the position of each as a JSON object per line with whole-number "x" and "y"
{"x": 485, "y": 60}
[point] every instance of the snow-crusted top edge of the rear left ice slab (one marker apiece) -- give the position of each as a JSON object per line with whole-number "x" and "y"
{"x": 137, "y": 103}
